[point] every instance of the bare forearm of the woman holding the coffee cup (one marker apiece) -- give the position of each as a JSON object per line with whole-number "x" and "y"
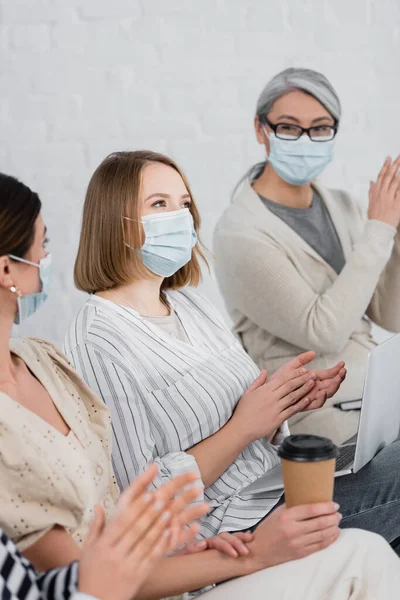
{"x": 179, "y": 574}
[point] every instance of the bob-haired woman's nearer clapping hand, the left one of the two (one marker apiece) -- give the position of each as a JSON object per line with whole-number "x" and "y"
{"x": 266, "y": 405}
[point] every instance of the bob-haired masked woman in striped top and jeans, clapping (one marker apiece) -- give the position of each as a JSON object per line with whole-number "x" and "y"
{"x": 181, "y": 389}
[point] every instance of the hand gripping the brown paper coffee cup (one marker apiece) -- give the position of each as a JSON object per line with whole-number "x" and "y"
{"x": 292, "y": 533}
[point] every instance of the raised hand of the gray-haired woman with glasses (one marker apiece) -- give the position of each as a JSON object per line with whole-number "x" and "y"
{"x": 384, "y": 199}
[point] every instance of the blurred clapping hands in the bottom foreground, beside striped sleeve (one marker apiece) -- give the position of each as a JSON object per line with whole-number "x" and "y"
{"x": 118, "y": 557}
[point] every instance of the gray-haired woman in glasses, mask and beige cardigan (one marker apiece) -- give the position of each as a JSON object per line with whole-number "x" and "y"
{"x": 301, "y": 266}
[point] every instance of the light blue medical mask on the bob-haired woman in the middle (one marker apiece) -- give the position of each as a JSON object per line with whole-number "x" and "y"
{"x": 170, "y": 238}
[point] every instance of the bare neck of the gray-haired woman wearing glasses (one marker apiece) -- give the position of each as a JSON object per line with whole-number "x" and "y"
{"x": 271, "y": 186}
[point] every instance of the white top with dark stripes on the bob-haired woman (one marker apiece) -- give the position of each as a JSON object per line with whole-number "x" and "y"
{"x": 166, "y": 395}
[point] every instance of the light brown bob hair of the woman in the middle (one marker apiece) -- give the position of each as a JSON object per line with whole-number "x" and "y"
{"x": 104, "y": 260}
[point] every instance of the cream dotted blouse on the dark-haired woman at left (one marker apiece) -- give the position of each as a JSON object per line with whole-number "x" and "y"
{"x": 47, "y": 478}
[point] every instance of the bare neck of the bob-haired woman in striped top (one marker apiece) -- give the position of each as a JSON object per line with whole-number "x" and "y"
{"x": 142, "y": 295}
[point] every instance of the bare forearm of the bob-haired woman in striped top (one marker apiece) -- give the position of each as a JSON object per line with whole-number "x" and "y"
{"x": 216, "y": 453}
